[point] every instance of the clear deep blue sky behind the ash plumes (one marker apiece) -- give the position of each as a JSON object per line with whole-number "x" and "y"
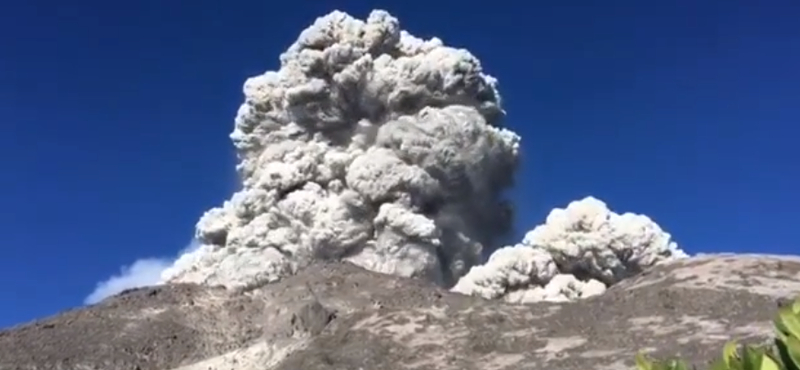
{"x": 114, "y": 119}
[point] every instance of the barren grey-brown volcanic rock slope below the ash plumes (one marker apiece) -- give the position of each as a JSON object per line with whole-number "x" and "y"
{"x": 338, "y": 316}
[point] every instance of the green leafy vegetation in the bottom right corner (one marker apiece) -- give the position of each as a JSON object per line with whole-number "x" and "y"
{"x": 784, "y": 354}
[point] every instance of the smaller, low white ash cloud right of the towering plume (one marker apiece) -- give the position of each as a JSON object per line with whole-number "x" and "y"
{"x": 578, "y": 252}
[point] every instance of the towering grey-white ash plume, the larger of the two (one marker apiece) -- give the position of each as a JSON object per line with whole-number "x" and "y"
{"x": 368, "y": 145}
